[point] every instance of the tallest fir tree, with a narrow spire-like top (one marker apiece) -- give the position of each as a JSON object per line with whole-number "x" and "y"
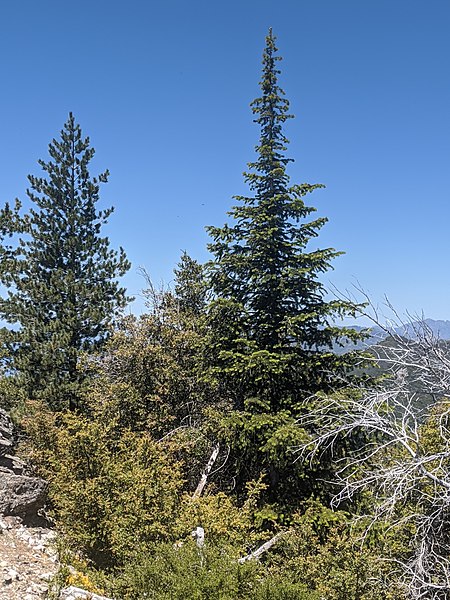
{"x": 273, "y": 327}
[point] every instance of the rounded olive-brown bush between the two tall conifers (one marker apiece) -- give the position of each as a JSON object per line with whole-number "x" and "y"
{"x": 150, "y": 373}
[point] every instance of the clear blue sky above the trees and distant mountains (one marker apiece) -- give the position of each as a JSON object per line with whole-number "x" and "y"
{"x": 163, "y": 88}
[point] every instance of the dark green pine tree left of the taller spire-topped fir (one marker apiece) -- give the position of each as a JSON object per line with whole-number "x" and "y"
{"x": 61, "y": 275}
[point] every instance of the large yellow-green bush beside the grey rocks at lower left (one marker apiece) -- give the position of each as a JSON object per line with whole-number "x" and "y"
{"x": 111, "y": 494}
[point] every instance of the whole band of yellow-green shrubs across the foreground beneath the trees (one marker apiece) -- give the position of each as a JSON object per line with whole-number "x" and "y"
{"x": 122, "y": 501}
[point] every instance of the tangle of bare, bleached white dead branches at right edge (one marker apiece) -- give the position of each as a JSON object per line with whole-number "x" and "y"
{"x": 401, "y": 466}
